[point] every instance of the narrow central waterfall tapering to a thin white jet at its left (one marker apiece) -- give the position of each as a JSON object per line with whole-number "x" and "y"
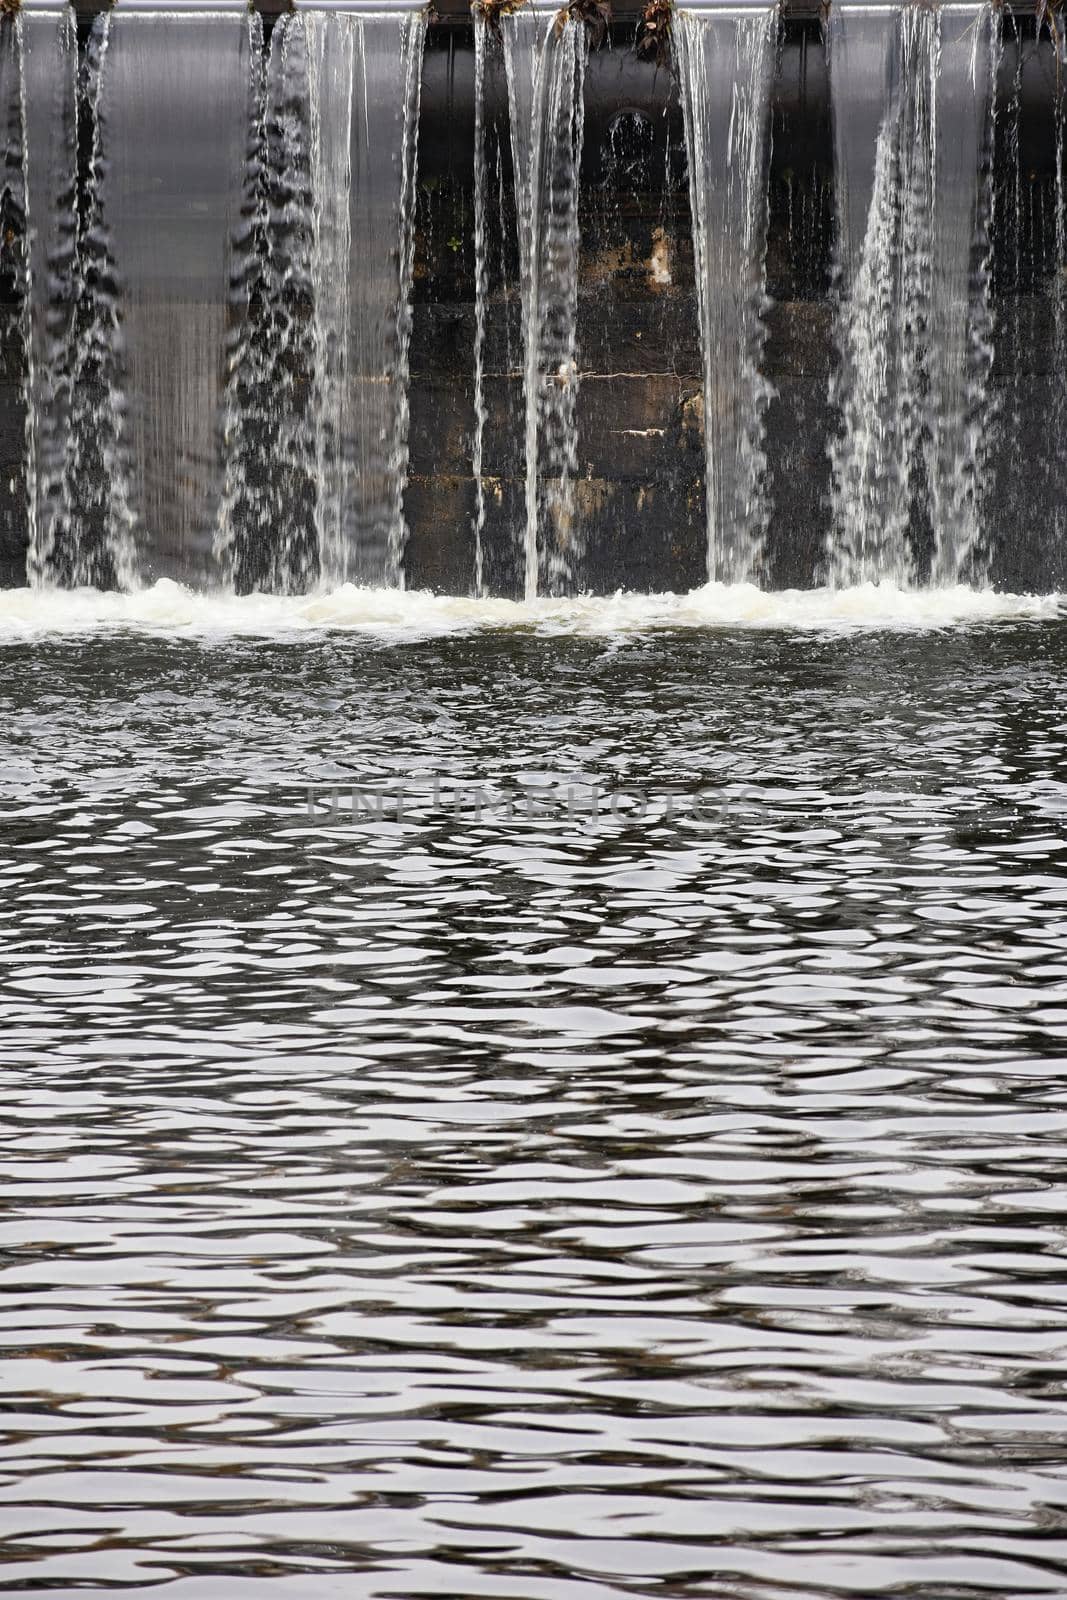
{"x": 545, "y": 60}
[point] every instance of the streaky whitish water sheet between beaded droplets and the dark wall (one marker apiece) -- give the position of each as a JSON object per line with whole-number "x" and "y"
{"x": 366, "y": 74}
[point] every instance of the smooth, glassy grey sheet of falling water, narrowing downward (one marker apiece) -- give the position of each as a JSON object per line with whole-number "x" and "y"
{"x": 174, "y": 116}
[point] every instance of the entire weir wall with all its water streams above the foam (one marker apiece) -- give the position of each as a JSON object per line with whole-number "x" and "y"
{"x": 505, "y": 305}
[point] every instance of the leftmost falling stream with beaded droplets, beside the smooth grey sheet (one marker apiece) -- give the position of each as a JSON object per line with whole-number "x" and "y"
{"x": 76, "y": 471}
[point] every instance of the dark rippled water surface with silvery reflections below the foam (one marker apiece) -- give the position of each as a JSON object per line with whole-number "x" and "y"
{"x": 446, "y": 1190}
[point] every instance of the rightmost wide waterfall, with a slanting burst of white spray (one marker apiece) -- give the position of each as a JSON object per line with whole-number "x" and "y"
{"x": 914, "y": 95}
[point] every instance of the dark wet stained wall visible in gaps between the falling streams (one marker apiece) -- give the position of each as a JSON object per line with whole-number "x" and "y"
{"x": 641, "y": 449}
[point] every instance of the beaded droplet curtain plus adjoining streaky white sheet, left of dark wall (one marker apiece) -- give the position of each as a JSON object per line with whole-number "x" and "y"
{"x": 330, "y": 263}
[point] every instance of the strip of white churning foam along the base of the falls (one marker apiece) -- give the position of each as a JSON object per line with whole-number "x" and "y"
{"x": 172, "y": 610}
